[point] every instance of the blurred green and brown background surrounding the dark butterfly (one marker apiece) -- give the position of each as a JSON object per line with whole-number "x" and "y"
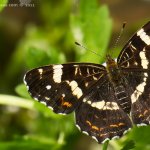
{"x": 40, "y": 32}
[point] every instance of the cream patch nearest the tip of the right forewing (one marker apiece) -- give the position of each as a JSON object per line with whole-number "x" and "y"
{"x": 144, "y": 37}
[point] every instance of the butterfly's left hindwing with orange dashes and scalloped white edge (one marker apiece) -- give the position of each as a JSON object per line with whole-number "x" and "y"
{"x": 100, "y": 116}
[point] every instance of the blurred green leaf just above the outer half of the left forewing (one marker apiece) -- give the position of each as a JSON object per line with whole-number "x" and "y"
{"x": 38, "y": 50}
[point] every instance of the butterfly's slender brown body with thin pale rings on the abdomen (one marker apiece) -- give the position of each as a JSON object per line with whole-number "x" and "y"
{"x": 118, "y": 84}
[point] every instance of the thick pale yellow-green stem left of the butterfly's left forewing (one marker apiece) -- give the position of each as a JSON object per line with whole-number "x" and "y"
{"x": 16, "y": 101}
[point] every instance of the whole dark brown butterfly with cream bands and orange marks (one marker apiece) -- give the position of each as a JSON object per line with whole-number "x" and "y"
{"x": 107, "y": 100}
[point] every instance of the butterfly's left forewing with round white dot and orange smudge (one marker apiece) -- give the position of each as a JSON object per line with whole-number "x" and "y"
{"x": 60, "y": 87}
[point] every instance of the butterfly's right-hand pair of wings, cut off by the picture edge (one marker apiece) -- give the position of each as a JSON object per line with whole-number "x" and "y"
{"x": 134, "y": 61}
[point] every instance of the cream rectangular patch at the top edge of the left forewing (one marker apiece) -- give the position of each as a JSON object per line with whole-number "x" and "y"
{"x": 57, "y": 73}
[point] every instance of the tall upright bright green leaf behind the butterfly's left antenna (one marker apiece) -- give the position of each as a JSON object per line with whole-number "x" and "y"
{"x": 93, "y": 28}
